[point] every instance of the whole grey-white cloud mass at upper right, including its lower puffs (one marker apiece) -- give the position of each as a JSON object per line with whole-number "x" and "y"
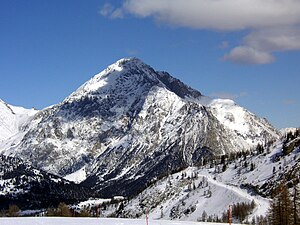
{"x": 273, "y": 25}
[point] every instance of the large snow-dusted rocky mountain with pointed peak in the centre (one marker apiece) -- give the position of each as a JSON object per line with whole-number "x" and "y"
{"x": 130, "y": 125}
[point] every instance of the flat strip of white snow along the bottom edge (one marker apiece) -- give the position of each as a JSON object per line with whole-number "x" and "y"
{"x": 90, "y": 221}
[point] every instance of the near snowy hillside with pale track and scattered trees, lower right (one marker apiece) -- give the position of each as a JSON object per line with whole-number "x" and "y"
{"x": 241, "y": 178}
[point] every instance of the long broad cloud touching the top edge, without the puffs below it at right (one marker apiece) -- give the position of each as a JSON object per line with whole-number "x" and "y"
{"x": 218, "y": 14}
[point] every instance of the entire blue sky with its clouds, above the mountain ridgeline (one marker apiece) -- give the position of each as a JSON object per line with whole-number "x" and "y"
{"x": 49, "y": 48}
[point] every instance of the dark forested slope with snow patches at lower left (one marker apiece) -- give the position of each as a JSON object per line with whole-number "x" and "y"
{"x": 31, "y": 188}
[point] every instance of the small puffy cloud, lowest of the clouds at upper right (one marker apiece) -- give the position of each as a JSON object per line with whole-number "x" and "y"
{"x": 248, "y": 55}
